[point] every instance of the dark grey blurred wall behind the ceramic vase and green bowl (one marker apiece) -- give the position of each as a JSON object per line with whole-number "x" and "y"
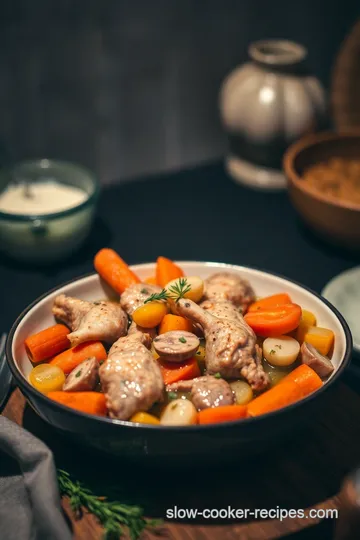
{"x": 130, "y": 87}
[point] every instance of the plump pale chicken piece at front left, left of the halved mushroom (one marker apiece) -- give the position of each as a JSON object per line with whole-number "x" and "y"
{"x": 130, "y": 377}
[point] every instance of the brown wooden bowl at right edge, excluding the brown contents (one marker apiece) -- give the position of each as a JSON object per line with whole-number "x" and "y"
{"x": 337, "y": 221}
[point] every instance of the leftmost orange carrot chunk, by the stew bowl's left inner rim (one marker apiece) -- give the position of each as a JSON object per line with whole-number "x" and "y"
{"x": 47, "y": 343}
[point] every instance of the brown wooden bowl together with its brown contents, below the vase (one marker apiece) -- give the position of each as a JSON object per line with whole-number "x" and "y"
{"x": 323, "y": 172}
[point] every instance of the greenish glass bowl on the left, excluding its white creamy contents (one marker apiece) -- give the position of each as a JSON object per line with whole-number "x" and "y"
{"x": 46, "y": 238}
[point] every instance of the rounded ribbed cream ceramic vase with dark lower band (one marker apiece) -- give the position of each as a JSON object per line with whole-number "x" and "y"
{"x": 265, "y": 105}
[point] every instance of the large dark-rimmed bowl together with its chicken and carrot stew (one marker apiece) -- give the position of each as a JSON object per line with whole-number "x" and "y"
{"x": 170, "y": 360}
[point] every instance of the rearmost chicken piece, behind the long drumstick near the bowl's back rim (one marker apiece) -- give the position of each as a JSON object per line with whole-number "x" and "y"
{"x": 231, "y": 287}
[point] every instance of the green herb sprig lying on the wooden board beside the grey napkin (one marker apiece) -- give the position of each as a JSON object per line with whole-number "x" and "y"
{"x": 113, "y": 516}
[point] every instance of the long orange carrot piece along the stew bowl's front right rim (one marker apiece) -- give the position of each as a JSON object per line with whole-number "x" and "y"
{"x": 281, "y": 395}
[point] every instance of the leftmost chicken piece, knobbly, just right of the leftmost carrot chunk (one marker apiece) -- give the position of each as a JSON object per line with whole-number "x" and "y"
{"x": 104, "y": 321}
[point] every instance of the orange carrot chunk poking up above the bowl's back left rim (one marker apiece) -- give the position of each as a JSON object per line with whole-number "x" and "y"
{"x": 111, "y": 267}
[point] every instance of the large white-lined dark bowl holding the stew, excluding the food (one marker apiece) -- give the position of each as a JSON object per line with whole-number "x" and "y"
{"x": 126, "y": 438}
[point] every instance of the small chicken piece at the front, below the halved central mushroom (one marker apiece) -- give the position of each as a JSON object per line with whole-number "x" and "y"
{"x": 205, "y": 391}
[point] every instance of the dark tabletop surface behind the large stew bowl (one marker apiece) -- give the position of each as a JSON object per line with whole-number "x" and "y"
{"x": 197, "y": 214}
